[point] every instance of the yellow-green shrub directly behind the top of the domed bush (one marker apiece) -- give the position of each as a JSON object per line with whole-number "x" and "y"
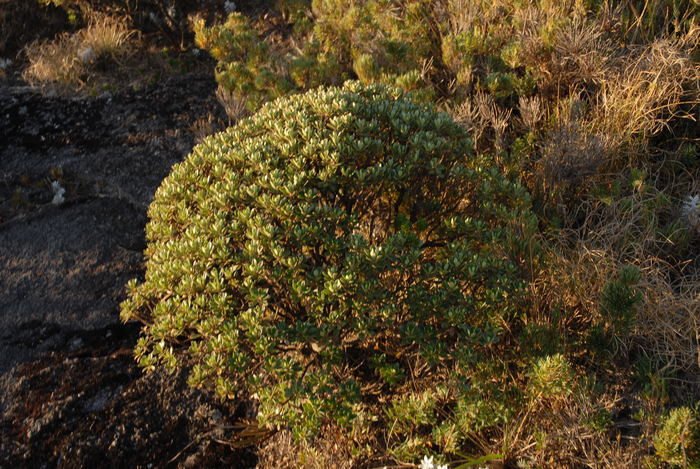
{"x": 369, "y": 40}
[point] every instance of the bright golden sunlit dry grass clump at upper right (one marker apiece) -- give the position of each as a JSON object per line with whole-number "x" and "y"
{"x": 613, "y": 102}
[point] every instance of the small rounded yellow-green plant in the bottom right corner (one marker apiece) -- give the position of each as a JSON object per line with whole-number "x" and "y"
{"x": 677, "y": 441}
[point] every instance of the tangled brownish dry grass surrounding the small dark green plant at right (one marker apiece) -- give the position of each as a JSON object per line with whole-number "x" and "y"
{"x": 627, "y": 231}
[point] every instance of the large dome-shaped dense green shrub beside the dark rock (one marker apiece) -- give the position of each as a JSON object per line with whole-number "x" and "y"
{"x": 340, "y": 253}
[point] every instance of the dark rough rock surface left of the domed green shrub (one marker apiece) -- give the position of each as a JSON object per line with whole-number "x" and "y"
{"x": 70, "y": 392}
